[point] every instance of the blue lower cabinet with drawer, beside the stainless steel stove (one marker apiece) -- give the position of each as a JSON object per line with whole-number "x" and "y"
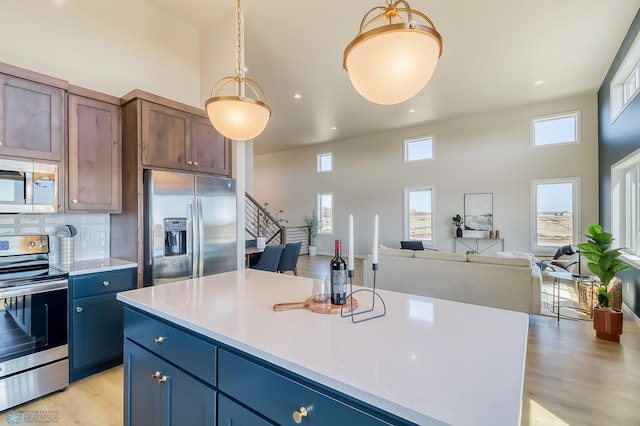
{"x": 96, "y": 321}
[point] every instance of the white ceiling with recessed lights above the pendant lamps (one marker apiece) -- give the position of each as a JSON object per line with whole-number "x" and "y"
{"x": 493, "y": 52}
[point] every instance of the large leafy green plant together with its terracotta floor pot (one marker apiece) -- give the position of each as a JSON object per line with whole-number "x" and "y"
{"x": 604, "y": 263}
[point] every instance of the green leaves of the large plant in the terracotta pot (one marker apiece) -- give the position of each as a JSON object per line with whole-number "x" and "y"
{"x": 603, "y": 261}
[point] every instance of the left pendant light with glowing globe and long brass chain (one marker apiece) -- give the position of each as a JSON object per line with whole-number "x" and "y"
{"x": 236, "y": 116}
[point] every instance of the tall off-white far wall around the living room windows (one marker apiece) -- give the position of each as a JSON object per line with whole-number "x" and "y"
{"x": 487, "y": 152}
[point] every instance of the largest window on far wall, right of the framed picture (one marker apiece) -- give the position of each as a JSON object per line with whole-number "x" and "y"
{"x": 555, "y": 204}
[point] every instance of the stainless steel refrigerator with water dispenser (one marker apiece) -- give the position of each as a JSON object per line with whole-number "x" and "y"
{"x": 190, "y": 226}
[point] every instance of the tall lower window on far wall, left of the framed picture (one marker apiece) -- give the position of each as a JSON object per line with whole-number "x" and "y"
{"x": 418, "y": 218}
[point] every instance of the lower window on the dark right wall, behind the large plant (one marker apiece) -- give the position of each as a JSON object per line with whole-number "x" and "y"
{"x": 625, "y": 203}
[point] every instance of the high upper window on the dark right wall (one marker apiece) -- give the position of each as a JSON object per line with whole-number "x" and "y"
{"x": 625, "y": 84}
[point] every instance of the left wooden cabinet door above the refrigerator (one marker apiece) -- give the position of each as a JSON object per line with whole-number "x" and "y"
{"x": 165, "y": 132}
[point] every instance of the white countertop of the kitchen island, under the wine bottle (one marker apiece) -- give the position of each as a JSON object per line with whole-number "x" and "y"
{"x": 429, "y": 361}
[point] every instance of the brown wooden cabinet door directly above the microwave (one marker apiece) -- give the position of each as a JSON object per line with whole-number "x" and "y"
{"x": 31, "y": 119}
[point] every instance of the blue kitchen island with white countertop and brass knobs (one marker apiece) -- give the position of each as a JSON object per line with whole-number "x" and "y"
{"x": 427, "y": 361}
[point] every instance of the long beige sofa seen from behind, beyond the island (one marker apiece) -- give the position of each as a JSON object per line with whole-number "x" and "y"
{"x": 507, "y": 283}
